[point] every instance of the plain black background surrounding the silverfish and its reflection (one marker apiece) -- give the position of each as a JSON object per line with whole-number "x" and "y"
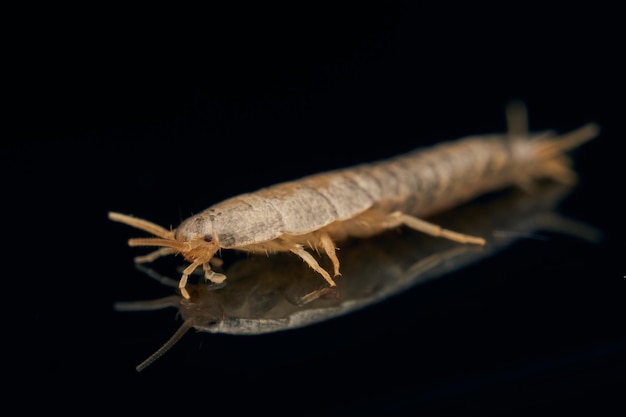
{"x": 160, "y": 113}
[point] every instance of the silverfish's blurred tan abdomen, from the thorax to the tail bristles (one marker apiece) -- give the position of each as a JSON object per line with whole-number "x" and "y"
{"x": 430, "y": 180}
